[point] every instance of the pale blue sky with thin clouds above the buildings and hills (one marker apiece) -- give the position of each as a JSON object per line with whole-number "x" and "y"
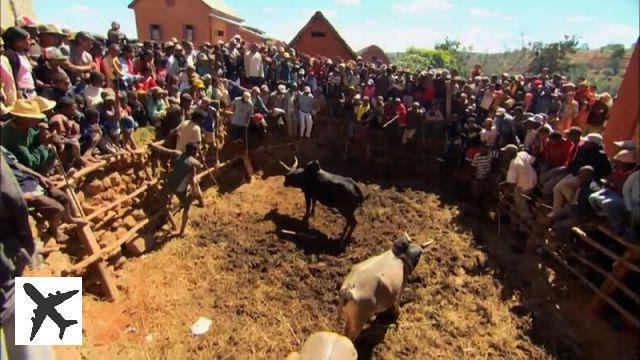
{"x": 394, "y": 25}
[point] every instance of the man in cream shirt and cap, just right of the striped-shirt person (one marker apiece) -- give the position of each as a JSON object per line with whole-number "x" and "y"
{"x": 521, "y": 177}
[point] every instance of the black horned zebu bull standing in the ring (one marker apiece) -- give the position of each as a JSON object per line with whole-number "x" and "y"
{"x": 331, "y": 190}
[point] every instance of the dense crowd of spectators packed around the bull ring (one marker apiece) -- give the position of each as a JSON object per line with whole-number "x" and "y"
{"x": 69, "y": 98}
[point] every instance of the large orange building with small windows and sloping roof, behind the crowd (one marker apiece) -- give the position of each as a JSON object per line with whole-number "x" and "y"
{"x": 194, "y": 20}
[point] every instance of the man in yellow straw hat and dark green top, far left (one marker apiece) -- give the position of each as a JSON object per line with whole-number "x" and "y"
{"x": 22, "y": 139}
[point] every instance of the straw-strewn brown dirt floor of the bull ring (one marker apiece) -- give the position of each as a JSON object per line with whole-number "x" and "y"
{"x": 266, "y": 291}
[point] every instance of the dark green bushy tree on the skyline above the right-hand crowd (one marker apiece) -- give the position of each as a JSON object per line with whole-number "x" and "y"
{"x": 553, "y": 55}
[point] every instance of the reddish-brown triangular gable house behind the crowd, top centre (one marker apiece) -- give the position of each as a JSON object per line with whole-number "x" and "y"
{"x": 320, "y": 38}
